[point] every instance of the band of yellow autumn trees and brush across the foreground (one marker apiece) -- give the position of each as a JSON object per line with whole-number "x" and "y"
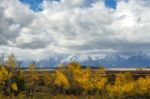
{"x": 69, "y": 81}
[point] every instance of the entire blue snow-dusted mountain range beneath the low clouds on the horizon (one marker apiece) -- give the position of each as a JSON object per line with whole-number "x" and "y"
{"x": 140, "y": 59}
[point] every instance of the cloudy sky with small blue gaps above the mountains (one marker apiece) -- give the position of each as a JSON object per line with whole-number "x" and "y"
{"x": 33, "y": 29}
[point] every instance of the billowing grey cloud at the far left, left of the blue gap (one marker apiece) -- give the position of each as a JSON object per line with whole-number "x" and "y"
{"x": 14, "y": 17}
